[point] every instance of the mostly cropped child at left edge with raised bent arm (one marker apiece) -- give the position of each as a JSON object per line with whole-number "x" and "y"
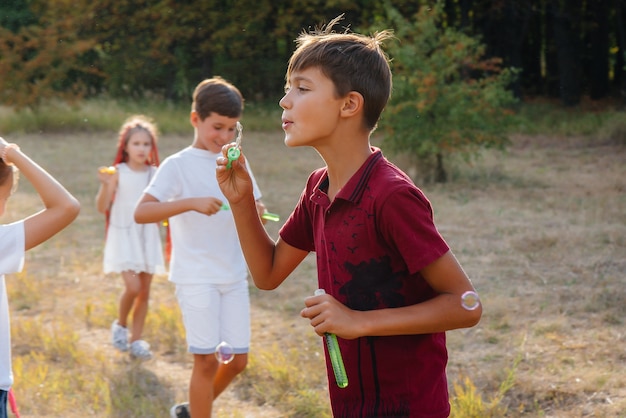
{"x": 61, "y": 208}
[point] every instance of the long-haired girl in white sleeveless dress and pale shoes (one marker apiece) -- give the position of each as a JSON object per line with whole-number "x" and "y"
{"x": 133, "y": 250}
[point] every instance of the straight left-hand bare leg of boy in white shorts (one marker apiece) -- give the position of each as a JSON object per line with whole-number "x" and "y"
{"x": 201, "y": 385}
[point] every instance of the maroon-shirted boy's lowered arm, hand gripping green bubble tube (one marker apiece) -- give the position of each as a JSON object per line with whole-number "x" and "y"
{"x": 442, "y": 313}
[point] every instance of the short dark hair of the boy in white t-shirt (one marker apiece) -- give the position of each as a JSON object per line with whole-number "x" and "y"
{"x": 219, "y": 96}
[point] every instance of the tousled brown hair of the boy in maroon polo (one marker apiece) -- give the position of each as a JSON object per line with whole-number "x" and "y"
{"x": 353, "y": 62}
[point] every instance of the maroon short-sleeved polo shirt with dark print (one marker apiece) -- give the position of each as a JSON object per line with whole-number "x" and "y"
{"x": 371, "y": 243}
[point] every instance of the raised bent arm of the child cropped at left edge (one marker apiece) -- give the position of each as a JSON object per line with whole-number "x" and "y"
{"x": 61, "y": 208}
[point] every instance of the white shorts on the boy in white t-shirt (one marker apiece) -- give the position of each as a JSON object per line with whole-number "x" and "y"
{"x": 213, "y": 313}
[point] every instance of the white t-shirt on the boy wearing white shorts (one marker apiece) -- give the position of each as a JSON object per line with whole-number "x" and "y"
{"x": 205, "y": 249}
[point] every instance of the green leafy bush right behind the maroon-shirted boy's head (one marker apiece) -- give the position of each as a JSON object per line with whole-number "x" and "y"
{"x": 447, "y": 98}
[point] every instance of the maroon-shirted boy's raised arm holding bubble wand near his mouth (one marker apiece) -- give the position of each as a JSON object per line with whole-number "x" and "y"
{"x": 269, "y": 262}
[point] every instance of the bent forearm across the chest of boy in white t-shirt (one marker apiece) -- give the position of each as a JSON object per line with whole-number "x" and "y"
{"x": 150, "y": 209}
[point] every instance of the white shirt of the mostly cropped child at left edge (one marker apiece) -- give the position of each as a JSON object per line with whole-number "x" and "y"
{"x": 11, "y": 261}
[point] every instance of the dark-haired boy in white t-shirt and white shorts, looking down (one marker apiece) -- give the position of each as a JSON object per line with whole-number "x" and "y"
{"x": 207, "y": 264}
